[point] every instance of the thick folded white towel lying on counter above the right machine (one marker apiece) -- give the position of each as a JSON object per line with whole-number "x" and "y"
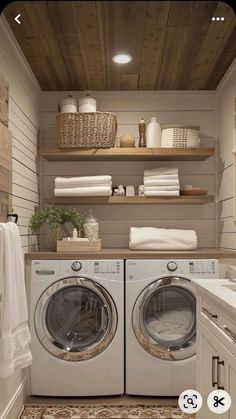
{"x": 152, "y": 238}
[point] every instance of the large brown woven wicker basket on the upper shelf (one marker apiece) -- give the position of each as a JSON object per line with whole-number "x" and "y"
{"x": 87, "y": 130}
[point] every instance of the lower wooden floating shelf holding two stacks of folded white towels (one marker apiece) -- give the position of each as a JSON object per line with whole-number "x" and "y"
{"x": 129, "y": 200}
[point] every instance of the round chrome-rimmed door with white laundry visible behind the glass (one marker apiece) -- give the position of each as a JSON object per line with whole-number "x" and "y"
{"x": 164, "y": 319}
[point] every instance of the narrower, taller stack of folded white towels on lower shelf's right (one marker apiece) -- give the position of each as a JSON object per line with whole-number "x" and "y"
{"x": 162, "y": 181}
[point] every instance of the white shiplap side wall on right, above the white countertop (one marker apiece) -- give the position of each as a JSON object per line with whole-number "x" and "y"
{"x": 226, "y": 97}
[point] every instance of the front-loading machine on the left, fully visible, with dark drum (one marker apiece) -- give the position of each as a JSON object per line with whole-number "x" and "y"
{"x": 77, "y": 327}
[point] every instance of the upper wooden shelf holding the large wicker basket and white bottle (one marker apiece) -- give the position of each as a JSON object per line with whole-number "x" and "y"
{"x": 135, "y": 153}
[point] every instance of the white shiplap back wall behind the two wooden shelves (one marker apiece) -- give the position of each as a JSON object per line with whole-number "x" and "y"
{"x": 191, "y": 108}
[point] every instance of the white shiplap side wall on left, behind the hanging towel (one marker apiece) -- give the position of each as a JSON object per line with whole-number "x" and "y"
{"x": 24, "y": 119}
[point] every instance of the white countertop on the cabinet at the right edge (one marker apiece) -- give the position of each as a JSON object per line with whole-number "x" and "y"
{"x": 215, "y": 289}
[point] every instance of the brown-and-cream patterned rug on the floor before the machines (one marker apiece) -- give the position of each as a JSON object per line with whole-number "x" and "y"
{"x": 104, "y": 412}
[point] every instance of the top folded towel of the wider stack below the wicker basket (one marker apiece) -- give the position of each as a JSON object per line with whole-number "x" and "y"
{"x": 61, "y": 182}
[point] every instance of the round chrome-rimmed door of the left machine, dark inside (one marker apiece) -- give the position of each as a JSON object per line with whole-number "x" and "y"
{"x": 75, "y": 319}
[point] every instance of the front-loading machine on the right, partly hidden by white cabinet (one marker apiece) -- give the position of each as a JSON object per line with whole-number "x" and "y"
{"x": 161, "y": 324}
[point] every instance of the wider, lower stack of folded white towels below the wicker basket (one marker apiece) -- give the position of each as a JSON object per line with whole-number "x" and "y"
{"x": 83, "y": 186}
